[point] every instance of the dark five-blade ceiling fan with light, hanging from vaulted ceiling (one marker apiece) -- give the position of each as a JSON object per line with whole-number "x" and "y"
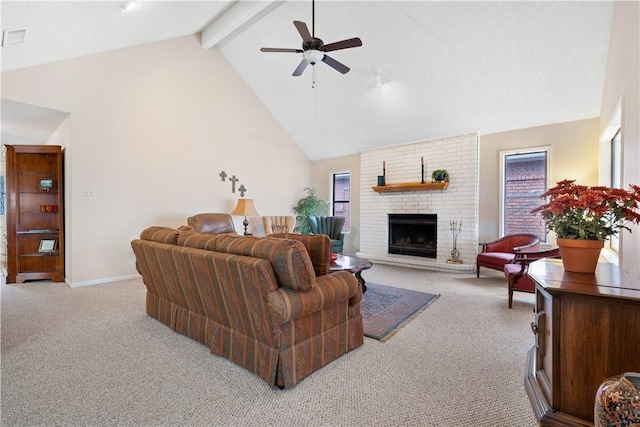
{"x": 314, "y": 49}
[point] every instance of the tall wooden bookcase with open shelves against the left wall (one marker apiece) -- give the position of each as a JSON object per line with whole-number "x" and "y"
{"x": 35, "y": 220}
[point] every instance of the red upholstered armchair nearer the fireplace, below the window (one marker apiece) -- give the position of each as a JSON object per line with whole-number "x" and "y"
{"x": 496, "y": 254}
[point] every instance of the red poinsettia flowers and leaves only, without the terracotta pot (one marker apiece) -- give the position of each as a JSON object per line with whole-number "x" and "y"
{"x": 590, "y": 213}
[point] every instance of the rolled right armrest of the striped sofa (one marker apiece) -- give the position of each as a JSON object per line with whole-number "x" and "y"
{"x": 286, "y": 304}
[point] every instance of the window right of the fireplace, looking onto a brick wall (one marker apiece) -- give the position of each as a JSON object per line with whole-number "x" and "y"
{"x": 524, "y": 179}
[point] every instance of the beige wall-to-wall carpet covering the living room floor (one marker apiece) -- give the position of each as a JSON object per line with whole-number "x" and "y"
{"x": 91, "y": 357}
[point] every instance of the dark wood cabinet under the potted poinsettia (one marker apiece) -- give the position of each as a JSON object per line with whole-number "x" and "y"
{"x": 587, "y": 329}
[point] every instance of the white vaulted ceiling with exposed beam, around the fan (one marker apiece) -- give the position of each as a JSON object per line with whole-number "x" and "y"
{"x": 448, "y": 68}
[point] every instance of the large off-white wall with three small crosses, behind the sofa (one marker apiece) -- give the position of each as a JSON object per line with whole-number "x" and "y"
{"x": 150, "y": 129}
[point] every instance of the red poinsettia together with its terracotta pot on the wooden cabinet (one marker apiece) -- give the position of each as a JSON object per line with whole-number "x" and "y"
{"x": 583, "y": 217}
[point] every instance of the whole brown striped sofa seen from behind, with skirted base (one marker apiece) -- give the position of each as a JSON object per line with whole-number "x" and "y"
{"x": 267, "y": 304}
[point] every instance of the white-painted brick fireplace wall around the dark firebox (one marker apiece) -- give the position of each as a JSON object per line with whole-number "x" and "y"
{"x": 459, "y": 156}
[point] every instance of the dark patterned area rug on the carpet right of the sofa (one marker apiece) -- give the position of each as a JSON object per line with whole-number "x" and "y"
{"x": 385, "y": 309}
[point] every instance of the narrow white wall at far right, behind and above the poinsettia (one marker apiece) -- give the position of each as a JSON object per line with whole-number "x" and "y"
{"x": 622, "y": 85}
